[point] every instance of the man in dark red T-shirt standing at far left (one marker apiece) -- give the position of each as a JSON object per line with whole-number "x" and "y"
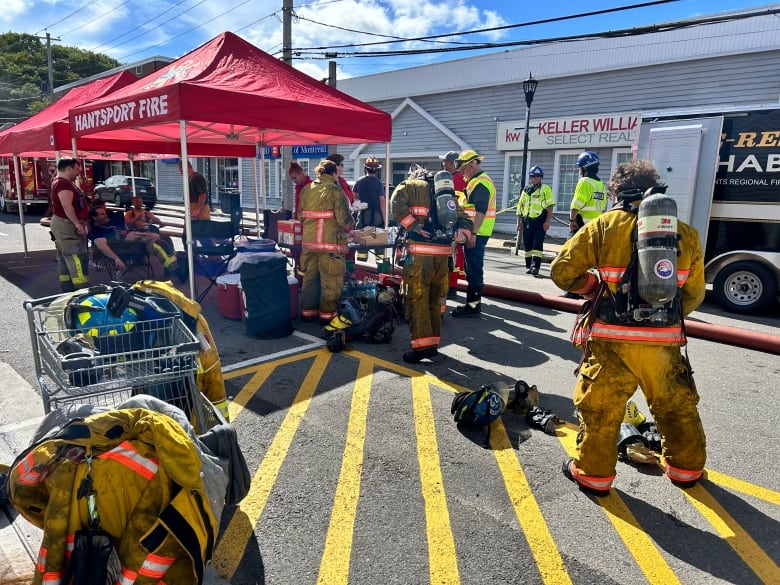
{"x": 70, "y": 210}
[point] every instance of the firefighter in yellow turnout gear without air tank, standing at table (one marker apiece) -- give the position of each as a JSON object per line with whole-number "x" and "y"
{"x": 325, "y": 214}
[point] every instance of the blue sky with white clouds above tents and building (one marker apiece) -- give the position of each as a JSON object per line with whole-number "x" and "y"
{"x": 130, "y": 30}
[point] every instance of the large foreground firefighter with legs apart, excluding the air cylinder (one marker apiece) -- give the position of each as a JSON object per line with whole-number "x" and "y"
{"x": 620, "y": 355}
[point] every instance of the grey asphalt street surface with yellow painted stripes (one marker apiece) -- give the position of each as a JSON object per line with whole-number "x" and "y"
{"x": 361, "y": 477}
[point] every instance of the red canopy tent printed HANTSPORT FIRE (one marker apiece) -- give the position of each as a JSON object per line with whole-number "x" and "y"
{"x": 226, "y": 98}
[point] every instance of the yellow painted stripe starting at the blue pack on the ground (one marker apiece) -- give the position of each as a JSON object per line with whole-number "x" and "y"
{"x": 527, "y": 510}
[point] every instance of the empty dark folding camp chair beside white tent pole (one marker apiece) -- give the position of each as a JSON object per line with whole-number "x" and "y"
{"x": 213, "y": 248}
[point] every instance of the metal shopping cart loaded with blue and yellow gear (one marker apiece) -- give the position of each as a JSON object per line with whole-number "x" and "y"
{"x": 104, "y": 364}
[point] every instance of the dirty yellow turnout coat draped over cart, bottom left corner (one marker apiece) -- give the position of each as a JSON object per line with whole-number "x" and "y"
{"x": 143, "y": 473}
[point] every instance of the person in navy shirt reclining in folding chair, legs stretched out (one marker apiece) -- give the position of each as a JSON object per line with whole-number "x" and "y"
{"x": 112, "y": 242}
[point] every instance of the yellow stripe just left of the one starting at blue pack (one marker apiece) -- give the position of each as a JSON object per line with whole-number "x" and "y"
{"x": 443, "y": 561}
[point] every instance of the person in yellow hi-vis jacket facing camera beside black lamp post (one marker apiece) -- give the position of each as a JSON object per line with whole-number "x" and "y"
{"x": 534, "y": 214}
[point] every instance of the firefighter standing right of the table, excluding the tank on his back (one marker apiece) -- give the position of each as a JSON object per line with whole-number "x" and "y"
{"x": 426, "y": 269}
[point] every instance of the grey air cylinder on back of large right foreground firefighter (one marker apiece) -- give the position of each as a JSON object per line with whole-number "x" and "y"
{"x": 657, "y": 249}
